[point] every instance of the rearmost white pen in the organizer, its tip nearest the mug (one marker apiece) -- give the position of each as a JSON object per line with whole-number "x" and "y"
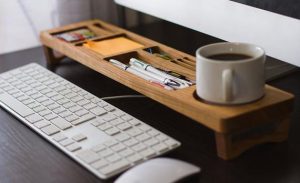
{"x": 148, "y": 67}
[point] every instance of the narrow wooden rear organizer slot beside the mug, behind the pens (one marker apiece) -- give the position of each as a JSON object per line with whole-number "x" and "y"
{"x": 172, "y": 56}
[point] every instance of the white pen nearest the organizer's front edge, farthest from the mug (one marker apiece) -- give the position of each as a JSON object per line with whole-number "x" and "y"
{"x": 139, "y": 74}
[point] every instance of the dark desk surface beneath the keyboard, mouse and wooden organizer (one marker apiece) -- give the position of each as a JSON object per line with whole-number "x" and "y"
{"x": 26, "y": 157}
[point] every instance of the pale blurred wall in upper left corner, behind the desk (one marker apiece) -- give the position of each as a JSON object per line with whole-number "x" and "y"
{"x": 21, "y": 20}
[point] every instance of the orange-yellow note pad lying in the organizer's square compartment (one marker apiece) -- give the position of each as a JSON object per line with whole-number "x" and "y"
{"x": 112, "y": 46}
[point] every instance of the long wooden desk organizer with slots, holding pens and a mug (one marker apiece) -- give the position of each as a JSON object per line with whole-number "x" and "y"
{"x": 236, "y": 128}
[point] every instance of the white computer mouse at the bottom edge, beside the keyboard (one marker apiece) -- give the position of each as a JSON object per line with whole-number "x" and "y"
{"x": 159, "y": 170}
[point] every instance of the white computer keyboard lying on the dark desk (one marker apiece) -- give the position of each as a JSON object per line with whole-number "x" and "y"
{"x": 97, "y": 135}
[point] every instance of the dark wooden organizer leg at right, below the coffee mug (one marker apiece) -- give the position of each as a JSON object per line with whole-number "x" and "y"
{"x": 230, "y": 146}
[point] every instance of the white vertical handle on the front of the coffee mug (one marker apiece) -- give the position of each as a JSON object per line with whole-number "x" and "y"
{"x": 227, "y": 85}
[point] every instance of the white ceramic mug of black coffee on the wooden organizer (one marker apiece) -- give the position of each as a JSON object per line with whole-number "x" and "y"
{"x": 230, "y": 73}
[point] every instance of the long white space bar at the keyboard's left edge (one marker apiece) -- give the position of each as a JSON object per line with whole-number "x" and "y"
{"x": 15, "y": 105}
